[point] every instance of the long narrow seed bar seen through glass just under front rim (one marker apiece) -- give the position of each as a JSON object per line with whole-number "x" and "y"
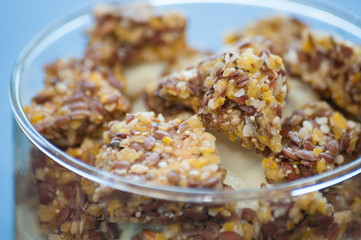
{"x": 123, "y": 207}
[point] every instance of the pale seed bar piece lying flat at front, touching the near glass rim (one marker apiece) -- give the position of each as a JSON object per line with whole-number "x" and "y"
{"x": 176, "y": 153}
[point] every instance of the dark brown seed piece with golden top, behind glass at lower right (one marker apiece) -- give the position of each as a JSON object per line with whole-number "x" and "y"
{"x": 309, "y": 216}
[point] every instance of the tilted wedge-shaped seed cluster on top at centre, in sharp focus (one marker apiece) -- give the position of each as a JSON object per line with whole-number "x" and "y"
{"x": 241, "y": 94}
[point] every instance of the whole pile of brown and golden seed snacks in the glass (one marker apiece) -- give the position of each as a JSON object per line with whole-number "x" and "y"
{"x": 88, "y": 108}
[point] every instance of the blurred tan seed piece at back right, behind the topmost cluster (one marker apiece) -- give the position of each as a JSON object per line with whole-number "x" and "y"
{"x": 284, "y": 32}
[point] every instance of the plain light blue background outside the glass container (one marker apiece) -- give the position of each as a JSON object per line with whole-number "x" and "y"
{"x": 20, "y": 20}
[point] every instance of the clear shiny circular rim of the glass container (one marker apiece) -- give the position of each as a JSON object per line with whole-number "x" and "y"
{"x": 293, "y": 188}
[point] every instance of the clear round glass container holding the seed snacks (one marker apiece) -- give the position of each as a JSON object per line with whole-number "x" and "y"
{"x": 100, "y": 205}
